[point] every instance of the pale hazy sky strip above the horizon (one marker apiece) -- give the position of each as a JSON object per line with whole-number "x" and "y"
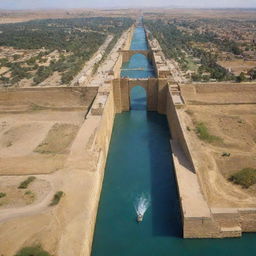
{"x": 31, "y": 4}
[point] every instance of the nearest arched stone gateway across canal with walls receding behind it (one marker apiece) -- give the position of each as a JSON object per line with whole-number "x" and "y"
{"x": 156, "y": 88}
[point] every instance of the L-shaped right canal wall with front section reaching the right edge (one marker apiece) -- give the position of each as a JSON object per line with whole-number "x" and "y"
{"x": 199, "y": 219}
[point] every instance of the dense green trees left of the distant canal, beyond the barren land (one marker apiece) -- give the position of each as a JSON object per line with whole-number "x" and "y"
{"x": 74, "y": 40}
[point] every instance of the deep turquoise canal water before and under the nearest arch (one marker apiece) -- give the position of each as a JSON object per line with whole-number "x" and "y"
{"x": 139, "y": 161}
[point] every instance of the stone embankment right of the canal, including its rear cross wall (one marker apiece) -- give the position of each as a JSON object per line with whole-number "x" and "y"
{"x": 200, "y": 220}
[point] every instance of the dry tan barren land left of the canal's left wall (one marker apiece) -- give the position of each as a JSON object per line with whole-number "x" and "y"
{"x": 37, "y": 128}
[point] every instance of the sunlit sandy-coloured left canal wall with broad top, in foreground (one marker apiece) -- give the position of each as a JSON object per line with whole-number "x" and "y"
{"x": 84, "y": 173}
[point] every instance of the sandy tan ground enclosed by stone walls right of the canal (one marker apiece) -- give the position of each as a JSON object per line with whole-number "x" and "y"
{"x": 234, "y": 124}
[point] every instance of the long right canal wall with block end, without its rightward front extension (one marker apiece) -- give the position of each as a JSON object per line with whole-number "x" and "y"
{"x": 195, "y": 213}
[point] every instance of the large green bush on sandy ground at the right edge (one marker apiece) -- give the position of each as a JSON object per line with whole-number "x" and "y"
{"x": 245, "y": 177}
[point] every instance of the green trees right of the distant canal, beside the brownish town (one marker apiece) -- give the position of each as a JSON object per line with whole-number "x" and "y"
{"x": 179, "y": 45}
